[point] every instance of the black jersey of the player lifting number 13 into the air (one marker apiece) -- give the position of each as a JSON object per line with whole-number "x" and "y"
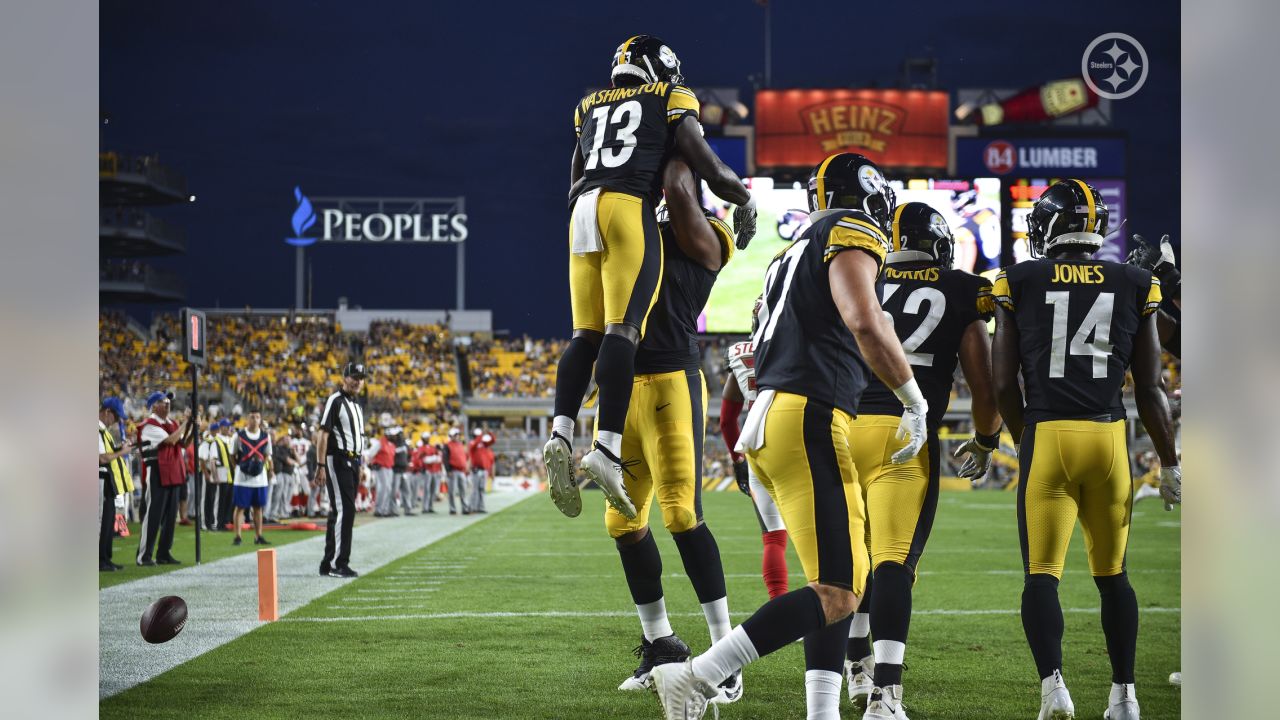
{"x": 671, "y": 334}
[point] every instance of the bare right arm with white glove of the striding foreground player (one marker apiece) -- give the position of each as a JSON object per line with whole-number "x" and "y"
{"x": 853, "y": 289}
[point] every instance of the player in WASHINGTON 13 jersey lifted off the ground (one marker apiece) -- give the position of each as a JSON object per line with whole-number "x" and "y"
{"x": 624, "y": 138}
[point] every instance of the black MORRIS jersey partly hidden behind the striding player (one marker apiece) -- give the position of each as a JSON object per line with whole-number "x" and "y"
{"x": 931, "y": 309}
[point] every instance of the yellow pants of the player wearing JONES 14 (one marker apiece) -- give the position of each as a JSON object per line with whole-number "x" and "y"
{"x": 1075, "y": 470}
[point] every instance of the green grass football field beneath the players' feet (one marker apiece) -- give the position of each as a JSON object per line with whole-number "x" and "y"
{"x": 527, "y": 616}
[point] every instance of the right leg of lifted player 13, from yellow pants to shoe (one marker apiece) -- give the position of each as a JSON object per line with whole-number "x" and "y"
{"x": 632, "y": 275}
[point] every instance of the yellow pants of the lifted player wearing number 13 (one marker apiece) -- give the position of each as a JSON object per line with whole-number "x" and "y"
{"x": 619, "y": 285}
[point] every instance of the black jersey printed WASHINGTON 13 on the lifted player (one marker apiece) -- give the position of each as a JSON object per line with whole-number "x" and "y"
{"x": 625, "y": 134}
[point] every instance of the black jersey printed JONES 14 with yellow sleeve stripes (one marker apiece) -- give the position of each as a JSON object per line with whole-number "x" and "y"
{"x": 1077, "y": 321}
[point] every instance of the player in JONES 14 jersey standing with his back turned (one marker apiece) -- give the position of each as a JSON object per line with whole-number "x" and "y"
{"x": 1072, "y": 326}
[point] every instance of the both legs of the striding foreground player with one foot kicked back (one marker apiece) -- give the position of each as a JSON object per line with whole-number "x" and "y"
{"x": 807, "y": 466}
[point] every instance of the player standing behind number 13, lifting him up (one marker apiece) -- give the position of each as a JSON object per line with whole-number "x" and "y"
{"x": 665, "y": 431}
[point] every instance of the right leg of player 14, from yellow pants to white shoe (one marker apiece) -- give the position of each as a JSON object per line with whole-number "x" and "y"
{"x": 1107, "y": 512}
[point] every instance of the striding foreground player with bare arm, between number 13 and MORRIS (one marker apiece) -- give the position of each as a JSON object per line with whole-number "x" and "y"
{"x": 821, "y": 335}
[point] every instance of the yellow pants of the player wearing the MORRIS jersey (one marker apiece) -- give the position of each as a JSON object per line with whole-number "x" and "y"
{"x": 902, "y": 500}
